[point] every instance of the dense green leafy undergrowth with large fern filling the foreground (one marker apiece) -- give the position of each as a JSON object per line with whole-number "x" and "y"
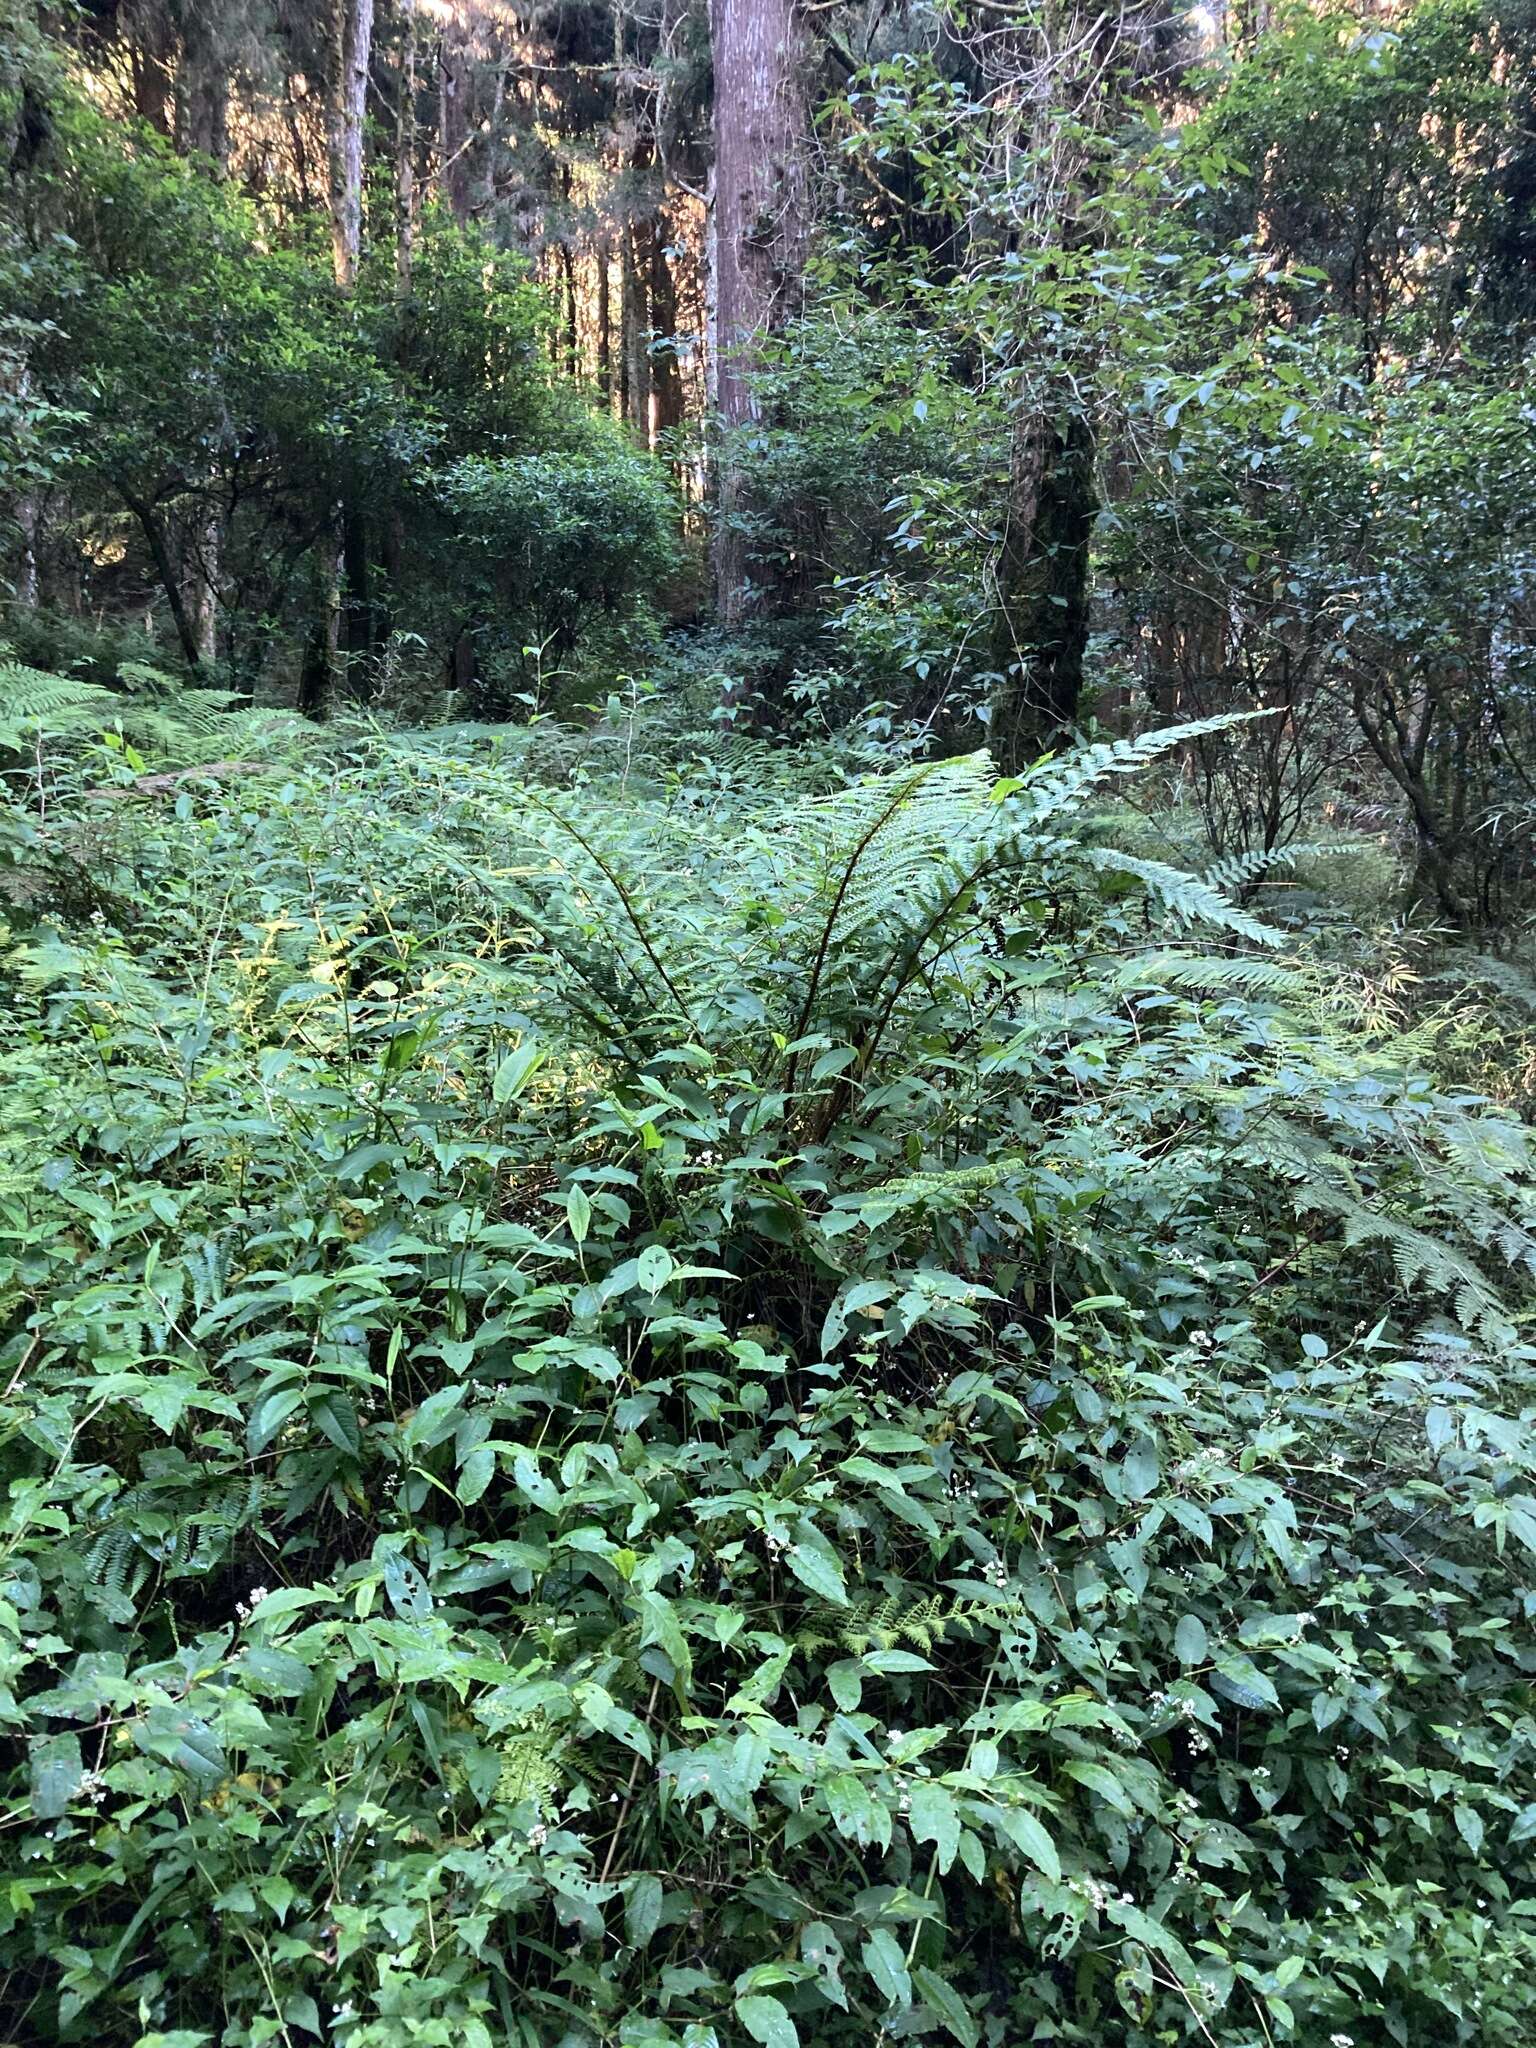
{"x": 691, "y": 1414}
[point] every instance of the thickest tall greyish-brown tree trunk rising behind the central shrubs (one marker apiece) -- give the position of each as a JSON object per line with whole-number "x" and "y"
{"x": 759, "y": 239}
